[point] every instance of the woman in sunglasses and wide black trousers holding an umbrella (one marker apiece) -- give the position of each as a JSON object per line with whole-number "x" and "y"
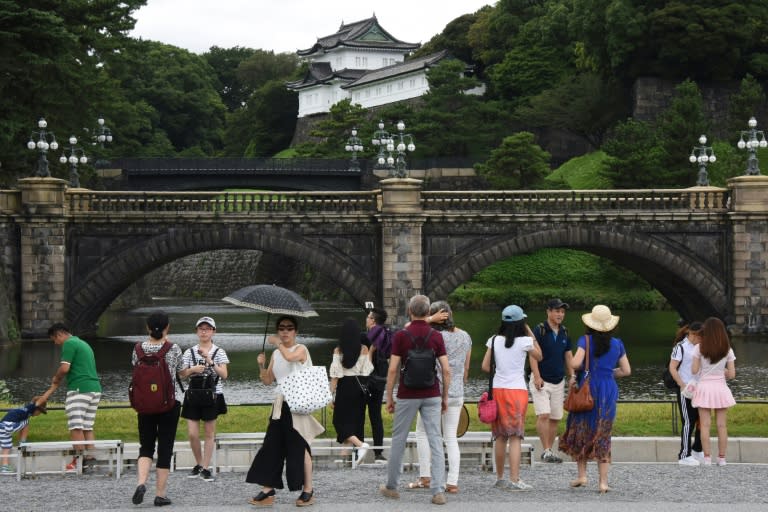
{"x": 288, "y": 434}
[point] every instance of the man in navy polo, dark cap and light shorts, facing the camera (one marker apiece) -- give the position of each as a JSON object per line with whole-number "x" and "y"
{"x": 547, "y": 382}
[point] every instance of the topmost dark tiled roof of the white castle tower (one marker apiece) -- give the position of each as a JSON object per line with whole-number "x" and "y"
{"x": 360, "y": 34}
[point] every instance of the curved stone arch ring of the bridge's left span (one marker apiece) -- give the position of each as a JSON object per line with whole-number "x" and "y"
{"x": 91, "y": 294}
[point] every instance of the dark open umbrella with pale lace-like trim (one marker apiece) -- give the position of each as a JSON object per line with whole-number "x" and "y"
{"x": 273, "y": 300}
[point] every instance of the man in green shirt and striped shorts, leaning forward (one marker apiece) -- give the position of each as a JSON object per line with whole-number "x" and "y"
{"x": 78, "y": 365}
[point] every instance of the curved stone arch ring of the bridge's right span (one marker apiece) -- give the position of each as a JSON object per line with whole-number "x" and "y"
{"x": 691, "y": 286}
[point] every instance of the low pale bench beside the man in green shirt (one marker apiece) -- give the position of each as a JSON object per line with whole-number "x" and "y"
{"x": 56, "y": 454}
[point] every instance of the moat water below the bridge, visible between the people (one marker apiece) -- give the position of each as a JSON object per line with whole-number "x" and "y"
{"x": 647, "y": 336}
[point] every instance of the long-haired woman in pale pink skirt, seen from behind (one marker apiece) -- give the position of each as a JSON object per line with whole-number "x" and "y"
{"x": 713, "y": 362}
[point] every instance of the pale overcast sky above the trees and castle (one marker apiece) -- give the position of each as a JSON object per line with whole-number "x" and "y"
{"x": 288, "y": 25}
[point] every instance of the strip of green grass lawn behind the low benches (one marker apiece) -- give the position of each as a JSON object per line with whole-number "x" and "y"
{"x": 117, "y": 421}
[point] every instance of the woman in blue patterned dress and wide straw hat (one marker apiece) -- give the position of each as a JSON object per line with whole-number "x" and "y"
{"x": 587, "y": 434}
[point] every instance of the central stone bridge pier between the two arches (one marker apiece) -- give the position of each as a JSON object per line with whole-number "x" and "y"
{"x": 402, "y": 218}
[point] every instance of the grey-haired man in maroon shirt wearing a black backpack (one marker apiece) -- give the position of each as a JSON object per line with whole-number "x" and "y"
{"x": 416, "y": 350}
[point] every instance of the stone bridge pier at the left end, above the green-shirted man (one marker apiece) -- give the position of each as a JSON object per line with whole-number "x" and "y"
{"x": 43, "y": 239}
